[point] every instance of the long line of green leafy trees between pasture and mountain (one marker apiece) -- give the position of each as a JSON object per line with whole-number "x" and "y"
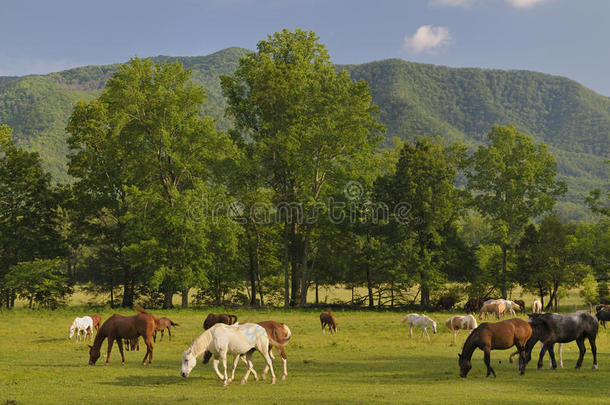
{"x": 296, "y": 195}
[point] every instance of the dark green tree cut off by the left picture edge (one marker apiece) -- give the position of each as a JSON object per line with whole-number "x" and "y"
{"x": 28, "y": 215}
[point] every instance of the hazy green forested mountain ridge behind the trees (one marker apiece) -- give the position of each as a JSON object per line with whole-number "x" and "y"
{"x": 414, "y": 99}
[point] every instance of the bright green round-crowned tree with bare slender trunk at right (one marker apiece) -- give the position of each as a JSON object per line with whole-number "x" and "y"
{"x": 512, "y": 181}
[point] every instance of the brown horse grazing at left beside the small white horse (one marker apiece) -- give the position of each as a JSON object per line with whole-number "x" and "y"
{"x": 119, "y": 327}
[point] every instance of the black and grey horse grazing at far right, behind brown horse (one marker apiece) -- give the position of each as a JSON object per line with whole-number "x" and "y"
{"x": 555, "y": 328}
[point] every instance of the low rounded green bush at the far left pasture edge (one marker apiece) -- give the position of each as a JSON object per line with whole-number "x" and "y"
{"x": 43, "y": 282}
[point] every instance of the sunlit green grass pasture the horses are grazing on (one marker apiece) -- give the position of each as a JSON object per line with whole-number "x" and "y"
{"x": 371, "y": 360}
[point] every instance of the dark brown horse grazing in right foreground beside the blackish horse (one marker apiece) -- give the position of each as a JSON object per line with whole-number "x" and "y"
{"x": 496, "y": 336}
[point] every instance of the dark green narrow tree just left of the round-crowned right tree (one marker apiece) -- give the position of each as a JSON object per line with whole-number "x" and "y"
{"x": 424, "y": 203}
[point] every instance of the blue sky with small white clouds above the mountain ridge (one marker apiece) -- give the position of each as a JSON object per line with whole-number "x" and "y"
{"x": 564, "y": 37}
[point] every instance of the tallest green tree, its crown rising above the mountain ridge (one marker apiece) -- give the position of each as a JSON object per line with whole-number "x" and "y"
{"x": 310, "y": 127}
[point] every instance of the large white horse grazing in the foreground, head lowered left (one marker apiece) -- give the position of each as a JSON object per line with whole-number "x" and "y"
{"x": 236, "y": 339}
